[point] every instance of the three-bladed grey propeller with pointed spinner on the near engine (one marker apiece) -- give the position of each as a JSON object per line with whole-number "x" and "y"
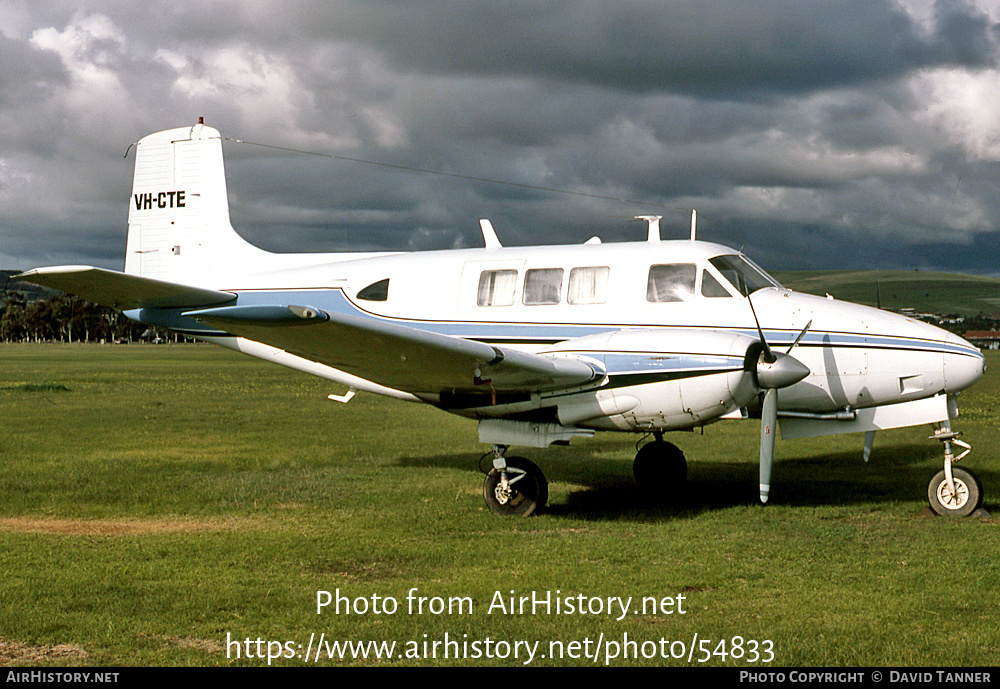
{"x": 772, "y": 372}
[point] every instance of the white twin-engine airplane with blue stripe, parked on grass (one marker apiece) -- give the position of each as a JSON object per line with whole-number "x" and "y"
{"x": 539, "y": 344}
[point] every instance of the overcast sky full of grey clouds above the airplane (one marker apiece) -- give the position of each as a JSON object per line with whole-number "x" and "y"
{"x": 812, "y": 134}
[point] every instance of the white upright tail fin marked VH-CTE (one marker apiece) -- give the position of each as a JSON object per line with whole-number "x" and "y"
{"x": 178, "y": 223}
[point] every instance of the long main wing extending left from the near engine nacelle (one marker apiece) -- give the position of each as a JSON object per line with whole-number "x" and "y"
{"x": 398, "y": 356}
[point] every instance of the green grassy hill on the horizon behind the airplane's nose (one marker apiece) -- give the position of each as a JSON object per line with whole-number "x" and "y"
{"x": 942, "y": 293}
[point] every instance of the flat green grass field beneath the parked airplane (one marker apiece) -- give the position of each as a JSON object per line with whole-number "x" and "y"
{"x": 157, "y": 501}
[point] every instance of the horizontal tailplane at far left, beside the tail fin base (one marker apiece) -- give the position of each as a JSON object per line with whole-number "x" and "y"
{"x": 122, "y": 291}
